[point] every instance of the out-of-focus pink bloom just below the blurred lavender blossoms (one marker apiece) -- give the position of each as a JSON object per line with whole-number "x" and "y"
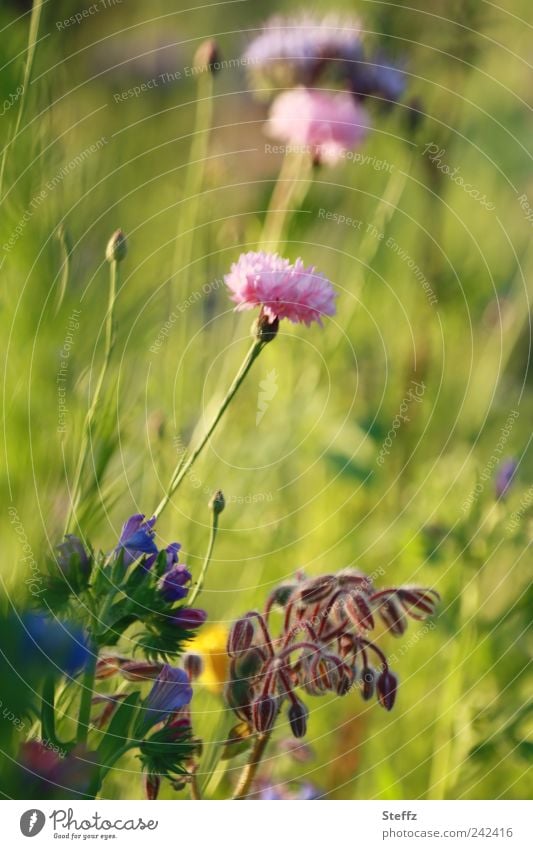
{"x": 328, "y": 123}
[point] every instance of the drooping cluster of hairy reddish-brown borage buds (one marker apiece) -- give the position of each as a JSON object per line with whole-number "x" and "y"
{"x": 324, "y": 646}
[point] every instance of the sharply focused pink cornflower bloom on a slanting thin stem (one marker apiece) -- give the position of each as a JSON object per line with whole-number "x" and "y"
{"x": 282, "y": 289}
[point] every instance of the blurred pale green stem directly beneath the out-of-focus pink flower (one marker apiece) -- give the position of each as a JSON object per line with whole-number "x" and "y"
{"x": 294, "y": 179}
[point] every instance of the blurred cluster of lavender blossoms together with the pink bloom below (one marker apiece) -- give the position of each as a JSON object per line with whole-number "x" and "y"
{"x": 310, "y": 58}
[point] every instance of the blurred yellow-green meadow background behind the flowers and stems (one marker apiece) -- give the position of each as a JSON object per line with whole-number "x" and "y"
{"x": 303, "y": 486}
